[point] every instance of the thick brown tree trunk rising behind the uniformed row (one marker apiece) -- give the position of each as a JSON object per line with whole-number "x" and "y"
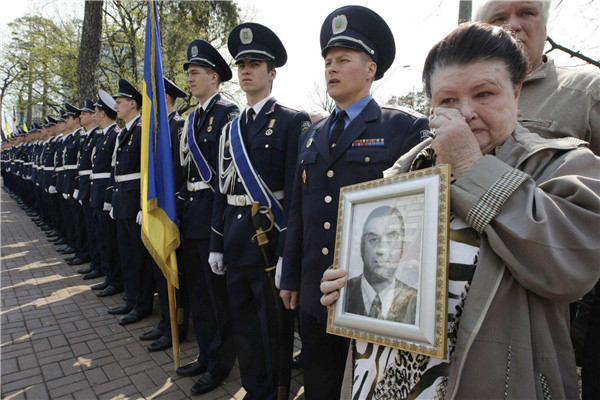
{"x": 89, "y": 51}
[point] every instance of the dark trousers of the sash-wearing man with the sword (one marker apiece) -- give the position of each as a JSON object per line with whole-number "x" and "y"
{"x": 254, "y": 324}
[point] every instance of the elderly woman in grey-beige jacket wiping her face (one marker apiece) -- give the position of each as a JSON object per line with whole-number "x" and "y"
{"x": 528, "y": 212}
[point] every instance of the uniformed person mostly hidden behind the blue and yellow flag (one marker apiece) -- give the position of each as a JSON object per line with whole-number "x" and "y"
{"x": 162, "y": 333}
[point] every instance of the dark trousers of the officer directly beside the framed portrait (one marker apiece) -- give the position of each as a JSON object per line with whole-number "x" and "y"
{"x": 324, "y": 357}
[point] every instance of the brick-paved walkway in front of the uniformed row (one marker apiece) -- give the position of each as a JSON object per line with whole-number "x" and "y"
{"x": 58, "y": 342}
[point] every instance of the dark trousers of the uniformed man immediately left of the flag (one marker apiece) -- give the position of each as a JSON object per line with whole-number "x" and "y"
{"x": 136, "y": 268}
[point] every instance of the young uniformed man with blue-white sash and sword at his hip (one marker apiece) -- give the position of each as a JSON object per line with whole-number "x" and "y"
{"x": 256, "y": 162}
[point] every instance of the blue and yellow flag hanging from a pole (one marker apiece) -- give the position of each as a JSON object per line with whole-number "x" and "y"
{"x": 160, "y": 232}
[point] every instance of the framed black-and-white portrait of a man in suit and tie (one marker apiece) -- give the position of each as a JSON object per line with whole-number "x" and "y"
{"x": 392, "y": 240}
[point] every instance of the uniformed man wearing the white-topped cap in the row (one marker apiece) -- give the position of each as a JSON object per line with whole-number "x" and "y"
{"x": 106, "y": 235}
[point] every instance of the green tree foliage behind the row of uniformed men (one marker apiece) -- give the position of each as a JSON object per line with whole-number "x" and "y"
{"x": 46, "y": 50}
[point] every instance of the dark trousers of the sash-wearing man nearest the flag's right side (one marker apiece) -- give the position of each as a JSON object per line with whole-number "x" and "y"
{"x": 209, "y": 307}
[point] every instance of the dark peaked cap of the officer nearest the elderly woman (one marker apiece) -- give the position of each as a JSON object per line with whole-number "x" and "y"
{"x": 359, "y": 28}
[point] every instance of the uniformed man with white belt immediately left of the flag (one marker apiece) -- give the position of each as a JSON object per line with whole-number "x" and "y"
{"x": 123, "y": 193}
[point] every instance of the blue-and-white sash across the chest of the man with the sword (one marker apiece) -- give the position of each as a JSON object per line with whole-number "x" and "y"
{"x": 254, "y": 185}
